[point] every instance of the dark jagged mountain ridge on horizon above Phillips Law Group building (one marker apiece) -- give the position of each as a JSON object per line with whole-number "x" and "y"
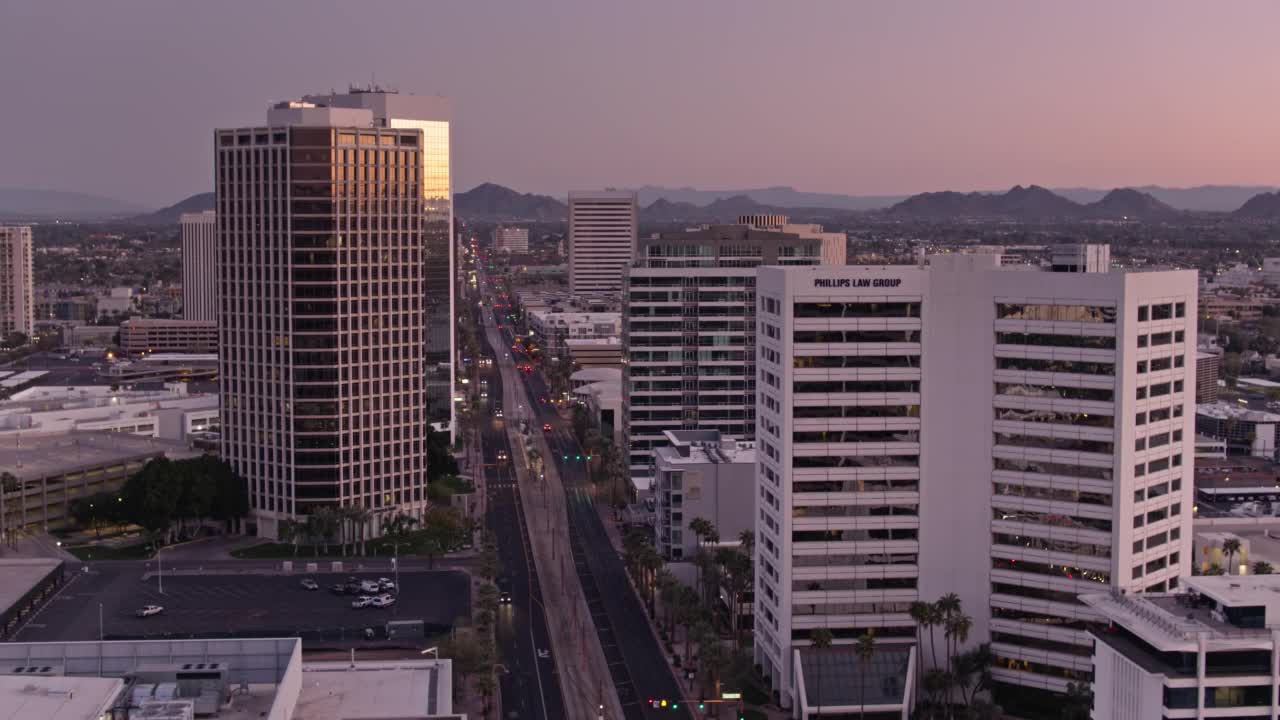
{"x": 1034, "y": 203}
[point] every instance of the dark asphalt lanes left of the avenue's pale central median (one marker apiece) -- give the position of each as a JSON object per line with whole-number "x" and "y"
{"x": 531, "y": 689}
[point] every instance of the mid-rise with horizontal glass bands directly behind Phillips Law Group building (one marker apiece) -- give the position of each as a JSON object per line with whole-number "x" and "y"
{"x": 689, "y": 334}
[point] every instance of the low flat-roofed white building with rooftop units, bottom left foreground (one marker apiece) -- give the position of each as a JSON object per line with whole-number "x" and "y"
{"x": 220, "y": 680}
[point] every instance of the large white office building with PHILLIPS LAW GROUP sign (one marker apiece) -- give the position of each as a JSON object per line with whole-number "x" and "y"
{"x": 1012, "y": 436}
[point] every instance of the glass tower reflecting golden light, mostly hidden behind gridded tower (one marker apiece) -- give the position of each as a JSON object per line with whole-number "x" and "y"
{"x": 433, "y": 116}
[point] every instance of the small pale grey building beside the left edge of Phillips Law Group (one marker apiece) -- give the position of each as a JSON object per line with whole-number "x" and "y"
{"x": 702, "y": 475}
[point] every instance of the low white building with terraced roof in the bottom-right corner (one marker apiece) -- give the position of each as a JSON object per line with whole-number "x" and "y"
{"x": 1208, "y": 651}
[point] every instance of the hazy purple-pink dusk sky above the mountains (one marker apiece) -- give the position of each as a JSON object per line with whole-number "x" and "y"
{"x": 121, "y": 98}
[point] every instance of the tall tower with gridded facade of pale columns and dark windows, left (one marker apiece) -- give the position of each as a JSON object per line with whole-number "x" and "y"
{"x": 323, "y": 266}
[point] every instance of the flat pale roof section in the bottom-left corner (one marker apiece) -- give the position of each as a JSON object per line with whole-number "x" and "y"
{"x": 25, "y": 698}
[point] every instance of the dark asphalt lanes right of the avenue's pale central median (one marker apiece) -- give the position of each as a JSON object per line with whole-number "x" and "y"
{"x": 638, "y": 664}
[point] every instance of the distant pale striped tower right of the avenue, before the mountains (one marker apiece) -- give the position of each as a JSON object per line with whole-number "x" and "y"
{"x": 602, "y": 239}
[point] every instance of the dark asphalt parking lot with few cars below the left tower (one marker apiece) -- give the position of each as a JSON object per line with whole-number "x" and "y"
{"x": 243, "y": 605}
